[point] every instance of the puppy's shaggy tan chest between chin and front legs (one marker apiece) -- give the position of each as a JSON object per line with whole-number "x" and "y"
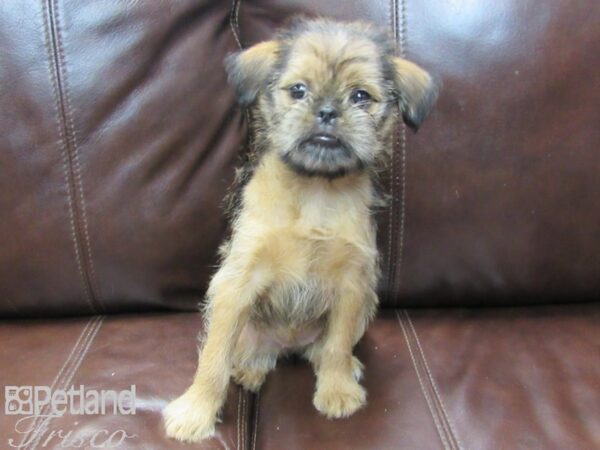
{"x": 308, "y": 240}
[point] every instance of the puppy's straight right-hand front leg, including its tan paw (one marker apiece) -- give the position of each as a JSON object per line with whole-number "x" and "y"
{"x": 338, "y": 392}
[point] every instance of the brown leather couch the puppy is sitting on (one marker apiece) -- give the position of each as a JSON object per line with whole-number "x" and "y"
{"x": 118, "y": 140}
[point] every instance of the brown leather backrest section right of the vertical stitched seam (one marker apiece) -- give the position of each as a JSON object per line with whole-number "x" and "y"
{"x": 502, "y": 184}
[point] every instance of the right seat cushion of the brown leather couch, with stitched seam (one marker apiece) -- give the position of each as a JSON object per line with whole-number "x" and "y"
{"x": 524, "y": 378}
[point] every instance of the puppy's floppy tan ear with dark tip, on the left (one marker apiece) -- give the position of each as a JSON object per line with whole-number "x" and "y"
{"x": 248, "y": 70}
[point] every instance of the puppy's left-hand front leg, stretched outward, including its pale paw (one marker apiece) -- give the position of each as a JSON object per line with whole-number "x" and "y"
{"x": 192, "y": 416}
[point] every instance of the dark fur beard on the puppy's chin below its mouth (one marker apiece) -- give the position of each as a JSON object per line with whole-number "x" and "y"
{"x": 310, "y": 159}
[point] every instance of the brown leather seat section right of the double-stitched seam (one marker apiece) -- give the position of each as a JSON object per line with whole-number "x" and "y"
{"x": 516, "y": 378}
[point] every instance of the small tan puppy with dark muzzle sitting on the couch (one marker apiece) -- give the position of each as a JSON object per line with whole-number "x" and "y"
{"x": 300, "y": 270}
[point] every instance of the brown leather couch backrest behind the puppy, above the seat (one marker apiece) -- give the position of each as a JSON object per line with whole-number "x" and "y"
{"x": 118, "y": 138}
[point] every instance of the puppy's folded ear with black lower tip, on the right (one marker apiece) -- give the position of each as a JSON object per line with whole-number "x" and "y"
{"x": 416, "y": 91}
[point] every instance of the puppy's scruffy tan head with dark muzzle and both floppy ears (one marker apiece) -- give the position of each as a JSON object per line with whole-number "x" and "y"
{"x": 327, "y": 93}
